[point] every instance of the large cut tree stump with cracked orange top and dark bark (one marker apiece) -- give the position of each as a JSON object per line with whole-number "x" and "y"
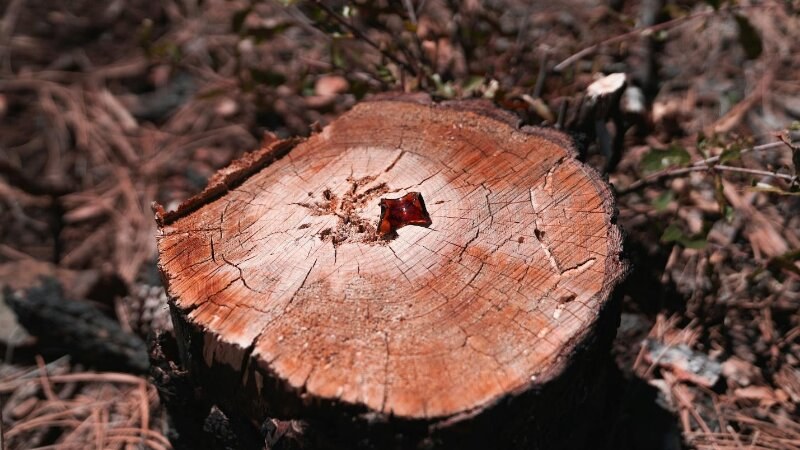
{"x": 490, "y": 325}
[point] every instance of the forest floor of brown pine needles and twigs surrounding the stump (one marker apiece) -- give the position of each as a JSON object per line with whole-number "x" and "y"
{"x": 106, "y": 107}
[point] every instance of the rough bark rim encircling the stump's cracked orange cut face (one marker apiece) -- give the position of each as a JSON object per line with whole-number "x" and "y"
{"x": 322, "y": 409}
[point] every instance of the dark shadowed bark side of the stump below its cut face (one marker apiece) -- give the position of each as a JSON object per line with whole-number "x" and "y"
{"x": 523, "y": 419}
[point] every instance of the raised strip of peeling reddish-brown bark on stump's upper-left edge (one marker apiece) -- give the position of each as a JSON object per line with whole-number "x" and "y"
{"x": 228, "y": 178}
